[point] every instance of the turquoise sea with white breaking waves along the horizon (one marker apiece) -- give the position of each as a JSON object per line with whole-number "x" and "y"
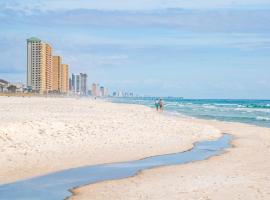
{"x": 256, "y": 112}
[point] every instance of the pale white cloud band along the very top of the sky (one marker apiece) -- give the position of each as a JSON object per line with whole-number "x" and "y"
{"x": 130, "y": 5}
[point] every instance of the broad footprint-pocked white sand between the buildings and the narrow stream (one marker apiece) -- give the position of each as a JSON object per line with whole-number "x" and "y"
{"x": 42, "y": 135}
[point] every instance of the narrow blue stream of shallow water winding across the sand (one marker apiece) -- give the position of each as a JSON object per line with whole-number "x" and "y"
{"x": 56, "y": 186}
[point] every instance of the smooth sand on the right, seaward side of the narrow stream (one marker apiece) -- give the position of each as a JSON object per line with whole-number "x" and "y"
{"x": 240, "y": 174}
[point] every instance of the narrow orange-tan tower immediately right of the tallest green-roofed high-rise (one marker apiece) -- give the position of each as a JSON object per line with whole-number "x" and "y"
{"x": 56, "y": 70}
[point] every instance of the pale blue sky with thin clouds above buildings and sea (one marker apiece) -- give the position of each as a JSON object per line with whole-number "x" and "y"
{"x": 187, "y": 48}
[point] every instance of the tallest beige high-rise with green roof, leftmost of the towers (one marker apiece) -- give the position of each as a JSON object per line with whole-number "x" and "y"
{"x": 39, "y": 65}
